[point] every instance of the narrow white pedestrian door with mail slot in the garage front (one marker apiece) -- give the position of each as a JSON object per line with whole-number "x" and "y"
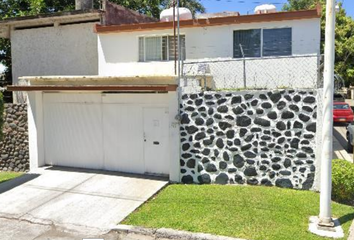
{"x": 156, "y": 140}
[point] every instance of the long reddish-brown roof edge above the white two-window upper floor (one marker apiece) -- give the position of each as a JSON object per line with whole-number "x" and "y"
{"x": 217, "y": 21}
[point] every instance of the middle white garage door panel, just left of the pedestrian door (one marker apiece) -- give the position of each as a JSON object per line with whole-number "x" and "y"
{"x": 123, "y": 131}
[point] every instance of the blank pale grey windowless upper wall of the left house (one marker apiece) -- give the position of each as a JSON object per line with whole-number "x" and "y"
{"x": 59, "y": 50}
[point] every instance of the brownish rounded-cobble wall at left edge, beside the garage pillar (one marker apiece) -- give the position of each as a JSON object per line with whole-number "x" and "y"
{"x": 14, "y": 150}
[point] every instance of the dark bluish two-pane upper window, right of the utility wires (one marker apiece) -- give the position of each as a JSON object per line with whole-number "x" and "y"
{"x": 262, "y": 42}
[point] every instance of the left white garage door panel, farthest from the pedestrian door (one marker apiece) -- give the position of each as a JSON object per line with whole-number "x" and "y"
{"x": 73, "y": 135}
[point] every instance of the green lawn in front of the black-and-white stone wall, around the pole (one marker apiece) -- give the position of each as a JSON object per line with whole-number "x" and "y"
{"x": 236, "y": 211}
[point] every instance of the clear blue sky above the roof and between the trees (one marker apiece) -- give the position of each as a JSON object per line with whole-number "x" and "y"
{"x": 248, "y": 5}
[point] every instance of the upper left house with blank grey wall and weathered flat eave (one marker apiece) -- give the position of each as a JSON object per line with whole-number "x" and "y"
{"x": 52, "y": 44}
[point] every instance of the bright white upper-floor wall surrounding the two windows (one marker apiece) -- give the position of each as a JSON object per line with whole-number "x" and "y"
{"x": 118, "y": 52}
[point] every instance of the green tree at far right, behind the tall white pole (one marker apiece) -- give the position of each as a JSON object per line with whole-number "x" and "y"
{"x": 344, "y": 36}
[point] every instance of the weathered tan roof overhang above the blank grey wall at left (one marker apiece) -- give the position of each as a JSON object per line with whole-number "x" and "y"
{"x": 76, "y": 16}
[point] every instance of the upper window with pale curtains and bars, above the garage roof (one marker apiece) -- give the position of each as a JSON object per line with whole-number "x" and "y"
{"x": 160, "y": 48}
